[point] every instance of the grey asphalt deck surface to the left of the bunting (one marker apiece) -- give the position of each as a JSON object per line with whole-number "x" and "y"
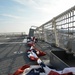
{"x": 13, "y": 55}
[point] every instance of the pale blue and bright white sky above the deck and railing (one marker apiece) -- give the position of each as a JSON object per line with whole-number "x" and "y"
{"x": 20, "y": 15}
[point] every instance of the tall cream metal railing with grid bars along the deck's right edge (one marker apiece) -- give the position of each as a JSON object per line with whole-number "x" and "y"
{"x": 59, "y": 30}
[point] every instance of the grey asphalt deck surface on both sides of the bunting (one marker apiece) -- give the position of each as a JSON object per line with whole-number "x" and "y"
{"x": 13, "y": 54}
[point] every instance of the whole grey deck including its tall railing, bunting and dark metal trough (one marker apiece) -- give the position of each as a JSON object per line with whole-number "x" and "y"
{"x": 47, "y": 50}
